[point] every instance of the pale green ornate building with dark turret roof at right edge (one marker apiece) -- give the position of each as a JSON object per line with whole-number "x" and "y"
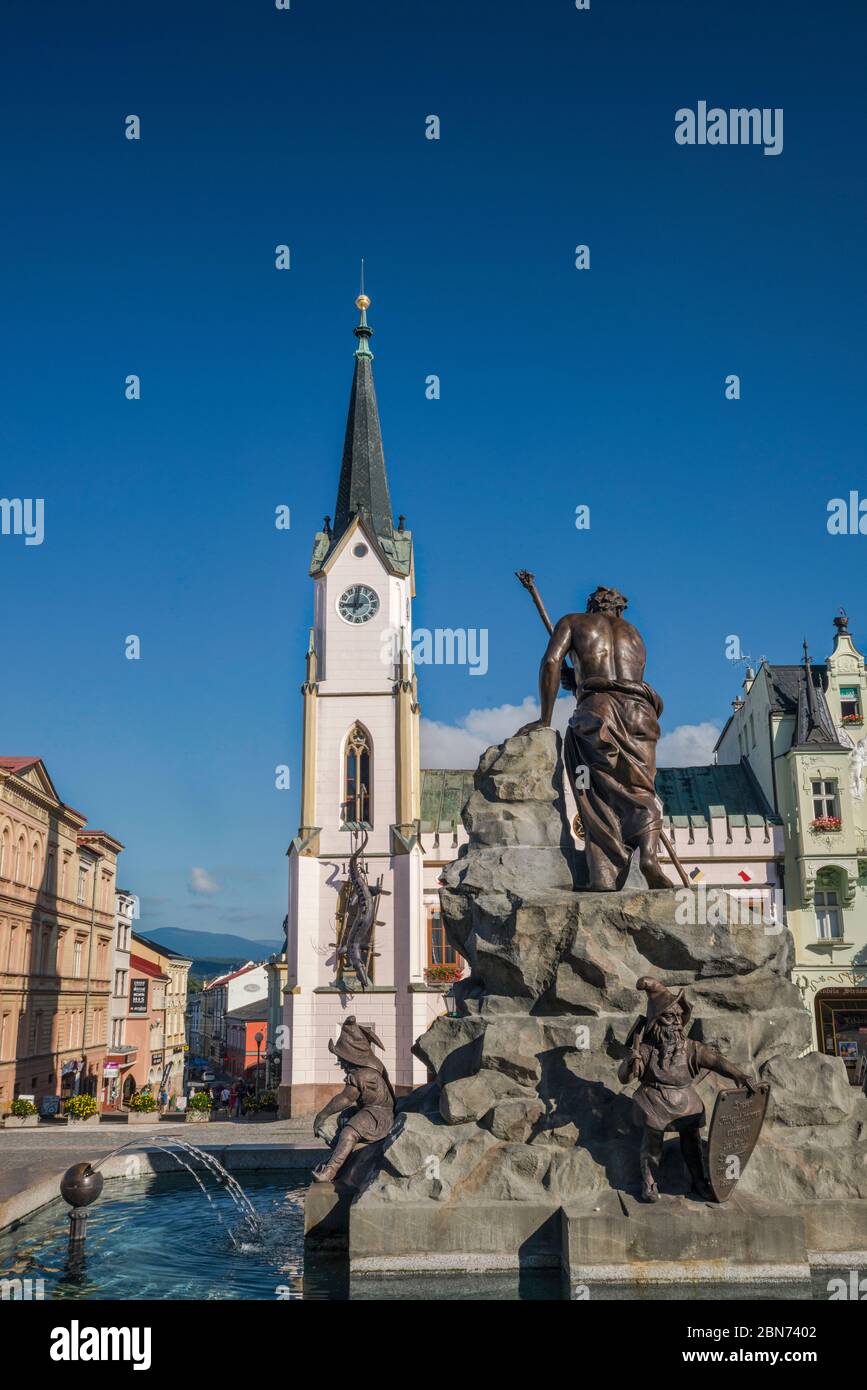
{"x": 801, "y": 732}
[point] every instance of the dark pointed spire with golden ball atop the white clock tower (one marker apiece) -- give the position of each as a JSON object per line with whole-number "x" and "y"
{"x": 363, "y": 489}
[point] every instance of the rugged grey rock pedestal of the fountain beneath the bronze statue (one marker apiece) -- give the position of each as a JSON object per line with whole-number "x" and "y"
{"x": 526, "y": 1107}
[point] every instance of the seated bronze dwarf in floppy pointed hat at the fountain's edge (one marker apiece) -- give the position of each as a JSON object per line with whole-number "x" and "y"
{"x": 368, "y": 1097}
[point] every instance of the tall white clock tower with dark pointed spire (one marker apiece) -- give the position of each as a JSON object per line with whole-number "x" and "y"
{"x": 361, "y": 776}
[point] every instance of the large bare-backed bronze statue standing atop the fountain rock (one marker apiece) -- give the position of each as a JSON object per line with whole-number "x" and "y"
{"x": 611, "y": 743}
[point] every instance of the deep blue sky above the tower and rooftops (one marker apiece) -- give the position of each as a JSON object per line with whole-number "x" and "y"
{"x": 559, "y": 387}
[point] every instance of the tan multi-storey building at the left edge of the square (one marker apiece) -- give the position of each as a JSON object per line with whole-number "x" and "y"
{"x": 58, "y": 924}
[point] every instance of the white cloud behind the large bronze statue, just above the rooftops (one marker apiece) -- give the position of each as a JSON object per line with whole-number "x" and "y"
{"x": 463, "y": 744}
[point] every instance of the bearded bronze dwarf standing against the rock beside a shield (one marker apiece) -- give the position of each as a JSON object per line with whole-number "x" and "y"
{"x": 668, "y": 1063}
